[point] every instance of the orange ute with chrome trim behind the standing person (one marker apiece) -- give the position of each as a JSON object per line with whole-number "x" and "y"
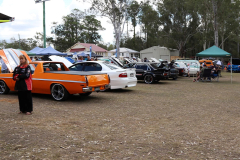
{"x": 55, "y": 78}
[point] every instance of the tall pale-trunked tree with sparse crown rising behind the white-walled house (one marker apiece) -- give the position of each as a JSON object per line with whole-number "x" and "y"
{"x": 116, "y": 11}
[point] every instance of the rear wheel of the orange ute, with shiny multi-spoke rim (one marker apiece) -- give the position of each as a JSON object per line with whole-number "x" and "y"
{"x": 59, "y": 92}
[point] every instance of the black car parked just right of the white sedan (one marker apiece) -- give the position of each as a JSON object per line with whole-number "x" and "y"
{"x": 149, "y": 72}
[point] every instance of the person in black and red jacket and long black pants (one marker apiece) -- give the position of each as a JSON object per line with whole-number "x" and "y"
{"x": 23, "y": 77}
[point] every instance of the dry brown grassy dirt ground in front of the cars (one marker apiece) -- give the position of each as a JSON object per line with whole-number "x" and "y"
{"x": 167, "y": 120}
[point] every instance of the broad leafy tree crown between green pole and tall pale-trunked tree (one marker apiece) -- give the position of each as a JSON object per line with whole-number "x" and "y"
{"x": 76, "y": 27}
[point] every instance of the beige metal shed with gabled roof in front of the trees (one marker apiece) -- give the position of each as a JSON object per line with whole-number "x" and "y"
{"x": 159, "y": 53}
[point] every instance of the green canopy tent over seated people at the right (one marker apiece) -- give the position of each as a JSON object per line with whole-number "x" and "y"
{"x": 214, "y": 51}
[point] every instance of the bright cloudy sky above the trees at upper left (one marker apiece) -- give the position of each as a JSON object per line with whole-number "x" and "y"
{"x": 29, "y": 18}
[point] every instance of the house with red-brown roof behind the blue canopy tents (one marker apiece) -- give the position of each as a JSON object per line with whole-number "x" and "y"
{"x": 78, "y": 47}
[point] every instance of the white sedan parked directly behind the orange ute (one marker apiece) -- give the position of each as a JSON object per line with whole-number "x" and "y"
{"x": 119, "y": 77}
